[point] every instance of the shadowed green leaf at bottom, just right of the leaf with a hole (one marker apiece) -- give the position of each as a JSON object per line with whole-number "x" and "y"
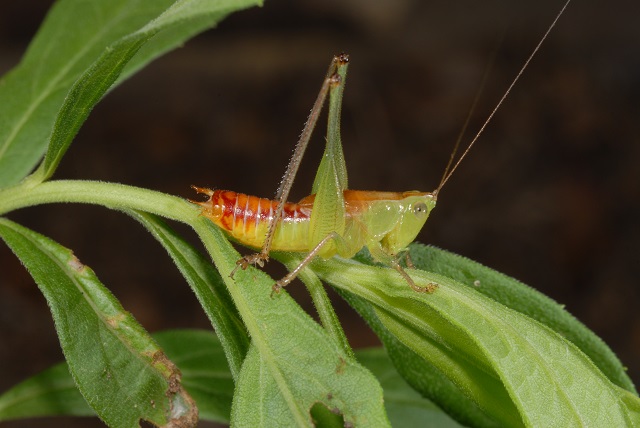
{"x": 405, "y": 407}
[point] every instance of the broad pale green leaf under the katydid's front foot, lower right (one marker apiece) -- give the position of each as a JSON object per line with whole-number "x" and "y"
{"x": 516, "y": 370}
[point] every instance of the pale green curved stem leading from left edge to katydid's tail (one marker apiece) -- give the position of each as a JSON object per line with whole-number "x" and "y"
{"x": 110, "y": 195}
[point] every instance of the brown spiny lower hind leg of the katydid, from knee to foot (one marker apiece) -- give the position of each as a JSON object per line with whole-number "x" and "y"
{"x": 331, "y": 79}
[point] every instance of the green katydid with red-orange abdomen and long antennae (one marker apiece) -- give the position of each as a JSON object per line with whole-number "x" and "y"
{"x": 333, "y": 220}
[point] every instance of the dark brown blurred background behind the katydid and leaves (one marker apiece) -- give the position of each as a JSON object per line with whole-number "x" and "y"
{"x": 549, "y": 195}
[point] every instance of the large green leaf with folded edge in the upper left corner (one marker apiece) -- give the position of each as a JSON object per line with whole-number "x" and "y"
{"x": 81, "y": 50}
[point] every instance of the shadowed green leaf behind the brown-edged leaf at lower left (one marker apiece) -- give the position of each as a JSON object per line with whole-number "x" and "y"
{"x": 198, "y": 354}
